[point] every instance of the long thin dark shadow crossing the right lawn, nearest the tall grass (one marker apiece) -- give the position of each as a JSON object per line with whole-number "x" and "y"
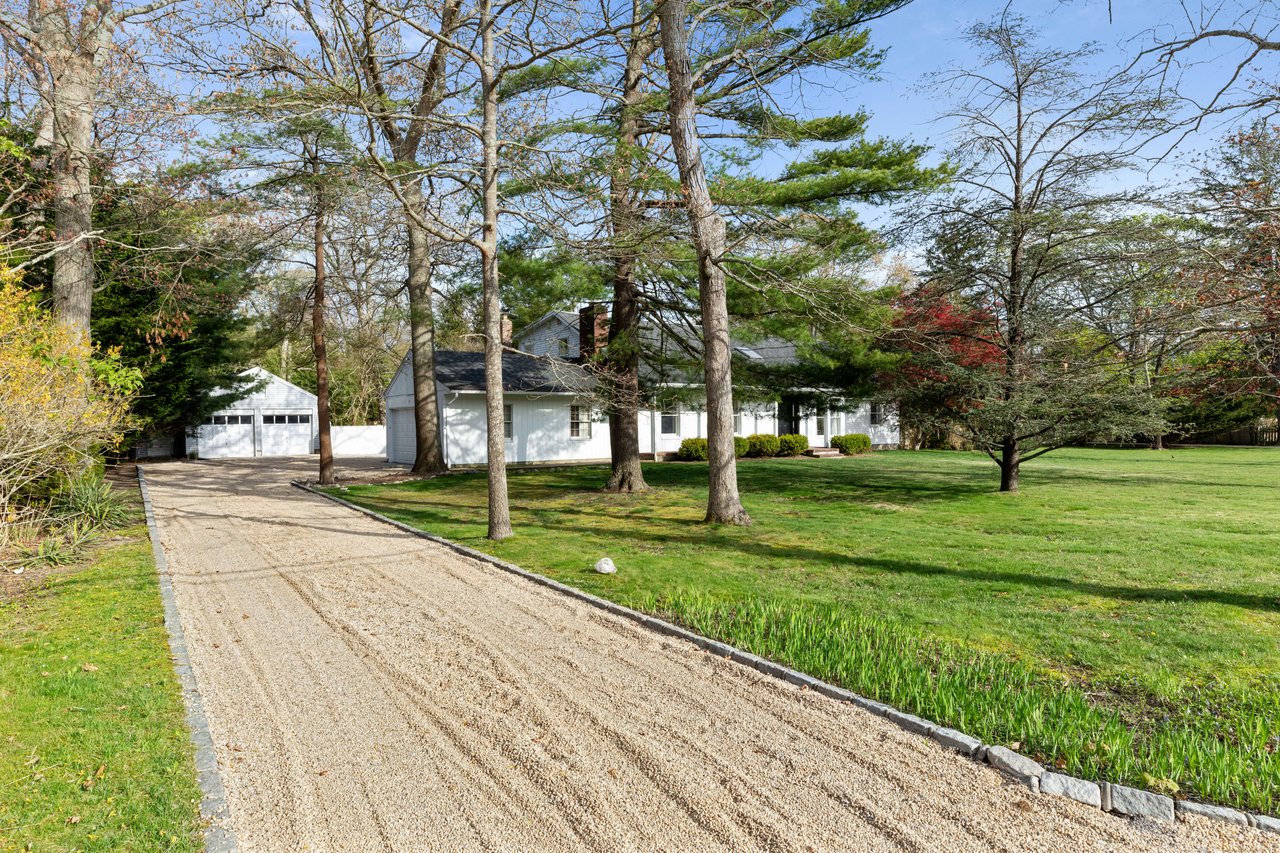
{"x": 1154, "y": 595}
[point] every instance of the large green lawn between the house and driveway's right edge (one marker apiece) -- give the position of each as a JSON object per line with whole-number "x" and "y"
{"x": 1121, "y": 618}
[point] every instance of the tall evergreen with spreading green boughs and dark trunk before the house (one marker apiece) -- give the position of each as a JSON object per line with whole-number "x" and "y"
{"x": 787, "y": 234}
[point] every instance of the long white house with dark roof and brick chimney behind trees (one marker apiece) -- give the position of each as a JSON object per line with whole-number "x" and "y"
{"x": 550, "y": 416}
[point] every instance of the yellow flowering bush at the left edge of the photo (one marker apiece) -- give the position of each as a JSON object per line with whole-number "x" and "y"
{"x": 61, "y": 404}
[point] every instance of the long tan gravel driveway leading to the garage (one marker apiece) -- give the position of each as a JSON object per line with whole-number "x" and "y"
{"x": 371, "y": 691}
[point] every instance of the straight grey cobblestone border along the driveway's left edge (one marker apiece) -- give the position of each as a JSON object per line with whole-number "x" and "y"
{"x": 213, "y": 797}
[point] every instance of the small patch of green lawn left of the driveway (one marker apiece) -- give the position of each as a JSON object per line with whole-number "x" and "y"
{"x": 94, "y": 750}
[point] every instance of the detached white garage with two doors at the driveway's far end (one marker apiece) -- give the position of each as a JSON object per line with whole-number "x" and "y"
{"x": 277, "y": 419}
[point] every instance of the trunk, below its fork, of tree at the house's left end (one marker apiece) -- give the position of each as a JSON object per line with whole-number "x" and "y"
{"x": 429, "y": 458}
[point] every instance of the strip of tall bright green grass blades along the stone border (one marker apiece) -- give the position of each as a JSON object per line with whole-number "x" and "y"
{"x": 1003, "y": 701}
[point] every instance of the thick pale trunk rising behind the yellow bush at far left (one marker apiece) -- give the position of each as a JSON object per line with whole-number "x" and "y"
{"x": 72, "y": 110}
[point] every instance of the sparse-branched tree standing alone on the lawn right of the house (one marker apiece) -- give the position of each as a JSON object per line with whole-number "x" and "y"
{"x": 1017, "y": 241}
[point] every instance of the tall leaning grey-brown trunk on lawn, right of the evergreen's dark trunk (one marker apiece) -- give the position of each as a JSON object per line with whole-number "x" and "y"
{"x": 724, "y": 504}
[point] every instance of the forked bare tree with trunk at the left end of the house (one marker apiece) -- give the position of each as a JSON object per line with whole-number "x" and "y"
{"x": 385, "y": 69}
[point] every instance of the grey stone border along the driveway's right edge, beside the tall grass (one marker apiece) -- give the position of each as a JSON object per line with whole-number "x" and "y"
{"x": 1121, "y": 800}
